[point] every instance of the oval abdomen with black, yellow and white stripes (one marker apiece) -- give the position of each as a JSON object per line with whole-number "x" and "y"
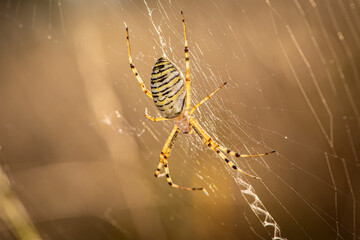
{"x": 168, "y": 88}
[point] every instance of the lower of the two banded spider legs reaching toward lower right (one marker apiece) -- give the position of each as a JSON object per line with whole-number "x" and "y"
{"x": 215, "y": 147}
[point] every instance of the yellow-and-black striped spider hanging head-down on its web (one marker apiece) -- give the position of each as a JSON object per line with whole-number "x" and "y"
{"x": 170, "y": 92}
